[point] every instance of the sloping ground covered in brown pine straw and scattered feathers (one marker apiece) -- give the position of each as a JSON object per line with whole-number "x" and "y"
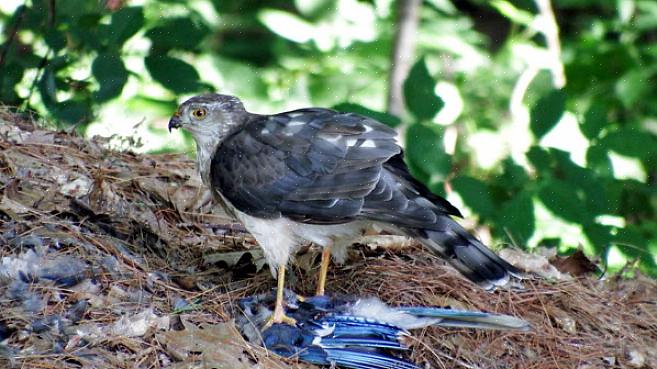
{"x": 117, "y": 260}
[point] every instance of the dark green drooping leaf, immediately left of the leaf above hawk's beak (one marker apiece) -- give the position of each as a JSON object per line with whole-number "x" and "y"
{"x": 109, "y": 71}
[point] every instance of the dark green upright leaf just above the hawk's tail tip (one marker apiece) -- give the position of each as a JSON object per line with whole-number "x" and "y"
{"x": 517, "y": 218}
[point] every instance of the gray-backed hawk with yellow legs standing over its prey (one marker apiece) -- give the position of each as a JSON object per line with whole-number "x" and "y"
{"x": 322, "y": 176}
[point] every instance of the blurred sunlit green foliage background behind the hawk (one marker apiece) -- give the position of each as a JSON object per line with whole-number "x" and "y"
{"x": 488, "y": 123}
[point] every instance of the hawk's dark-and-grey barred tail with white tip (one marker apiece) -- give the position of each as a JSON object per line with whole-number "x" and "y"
{"x": 467, "y": 254}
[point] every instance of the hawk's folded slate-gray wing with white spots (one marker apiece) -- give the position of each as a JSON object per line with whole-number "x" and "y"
{"x": 320, "y": 166}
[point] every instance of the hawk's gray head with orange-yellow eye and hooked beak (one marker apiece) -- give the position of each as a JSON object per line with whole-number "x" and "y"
{"x": 209, "y": 115}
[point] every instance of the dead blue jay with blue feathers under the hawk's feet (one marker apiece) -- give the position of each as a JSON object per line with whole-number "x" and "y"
{"x": 351, "y": 332}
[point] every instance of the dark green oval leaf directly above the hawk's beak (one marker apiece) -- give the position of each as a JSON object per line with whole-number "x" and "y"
{"x": 174, "y": 74}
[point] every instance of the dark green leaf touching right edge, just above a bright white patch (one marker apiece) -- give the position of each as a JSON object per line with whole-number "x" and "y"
{"x": 631, "y": 142}
